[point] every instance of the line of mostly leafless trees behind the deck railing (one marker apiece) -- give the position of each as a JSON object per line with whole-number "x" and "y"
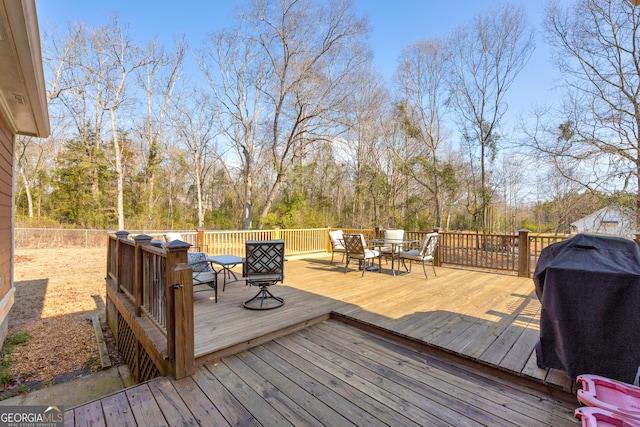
{"x": 285, "y": 122}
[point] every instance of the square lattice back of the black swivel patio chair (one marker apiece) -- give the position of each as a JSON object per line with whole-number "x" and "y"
{"x": 264, "y": 259}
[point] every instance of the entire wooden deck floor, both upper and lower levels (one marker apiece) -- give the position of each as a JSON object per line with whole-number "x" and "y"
{"x": 454, "y": 350}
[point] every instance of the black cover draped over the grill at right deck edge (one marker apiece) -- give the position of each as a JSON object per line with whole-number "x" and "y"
{"x": 589, "y": 288}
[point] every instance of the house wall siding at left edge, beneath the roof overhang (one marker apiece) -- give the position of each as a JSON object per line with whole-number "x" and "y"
{"x": 7, "y": 140}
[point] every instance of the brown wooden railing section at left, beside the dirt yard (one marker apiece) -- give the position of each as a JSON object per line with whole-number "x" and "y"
{"x": 150, "y": 305}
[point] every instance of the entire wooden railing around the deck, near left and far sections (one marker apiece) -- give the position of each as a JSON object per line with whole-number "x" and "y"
{"x": 150, "y": 286}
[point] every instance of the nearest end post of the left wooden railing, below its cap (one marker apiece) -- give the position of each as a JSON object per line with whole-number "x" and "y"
{"x": 182, "y": 285}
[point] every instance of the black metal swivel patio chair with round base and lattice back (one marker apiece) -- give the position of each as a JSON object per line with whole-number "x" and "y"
{"x": 264, "y": 267}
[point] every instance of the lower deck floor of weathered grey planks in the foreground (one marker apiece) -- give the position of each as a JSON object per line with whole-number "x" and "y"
{"x": 329, "y": 374}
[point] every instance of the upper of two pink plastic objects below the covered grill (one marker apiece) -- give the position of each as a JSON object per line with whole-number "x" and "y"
{"x": 614, "y": 396}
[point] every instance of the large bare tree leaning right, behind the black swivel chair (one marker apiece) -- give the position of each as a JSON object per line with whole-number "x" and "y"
{"x": 312, "y": 47}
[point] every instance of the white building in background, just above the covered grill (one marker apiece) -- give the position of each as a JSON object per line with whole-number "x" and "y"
{"x": 612, "y": 220}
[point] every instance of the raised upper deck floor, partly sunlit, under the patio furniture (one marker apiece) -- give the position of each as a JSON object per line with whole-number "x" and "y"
{"x": 491, "y": 318}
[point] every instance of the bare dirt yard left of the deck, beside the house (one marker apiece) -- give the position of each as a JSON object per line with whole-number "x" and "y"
{"x": 57, "y": 293}
